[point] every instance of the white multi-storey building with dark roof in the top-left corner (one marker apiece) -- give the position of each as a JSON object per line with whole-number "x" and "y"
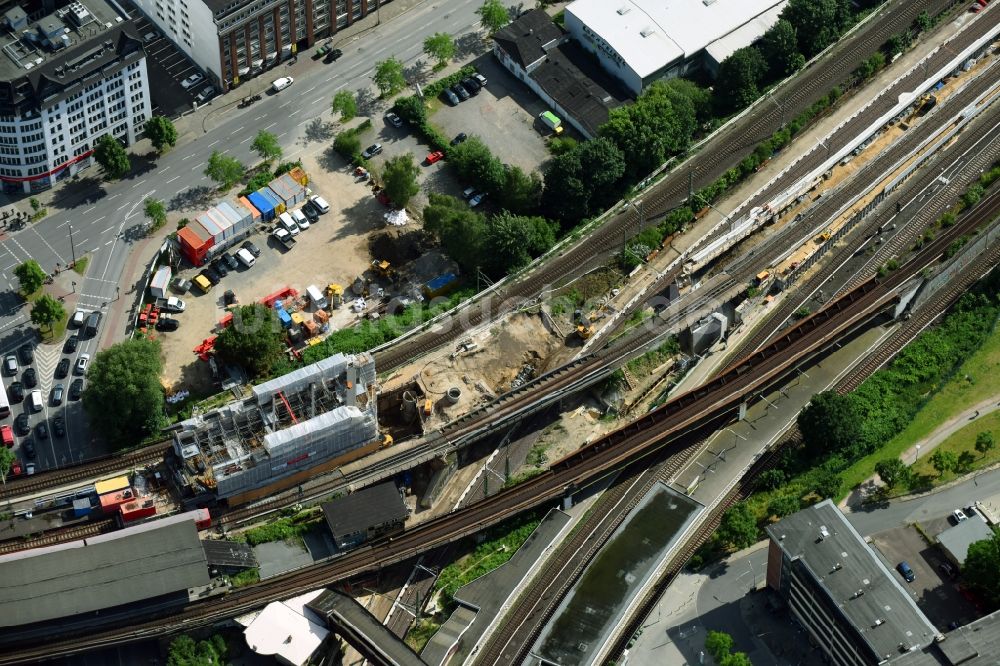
{"x": 70, "y": 72}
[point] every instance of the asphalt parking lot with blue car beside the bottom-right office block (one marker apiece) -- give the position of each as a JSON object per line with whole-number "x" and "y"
{"x": 937, "y": 595}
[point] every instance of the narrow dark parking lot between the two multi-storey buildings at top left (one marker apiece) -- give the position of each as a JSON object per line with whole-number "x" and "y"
{"x": 167, "y": 66}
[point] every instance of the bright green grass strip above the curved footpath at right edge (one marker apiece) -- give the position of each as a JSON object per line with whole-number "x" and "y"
{"x": 977, "y": 380}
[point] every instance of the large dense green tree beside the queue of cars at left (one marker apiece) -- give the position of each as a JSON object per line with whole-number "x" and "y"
{"x": 124, "y": 397}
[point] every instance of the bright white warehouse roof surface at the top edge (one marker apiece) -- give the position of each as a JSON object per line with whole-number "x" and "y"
{"x": 649, "y": 34}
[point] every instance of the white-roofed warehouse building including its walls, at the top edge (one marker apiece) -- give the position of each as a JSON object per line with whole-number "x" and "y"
{"x": 640, "y": 41}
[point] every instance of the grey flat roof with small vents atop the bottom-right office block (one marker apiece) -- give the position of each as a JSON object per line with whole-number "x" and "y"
{"x": 821, "y": 543}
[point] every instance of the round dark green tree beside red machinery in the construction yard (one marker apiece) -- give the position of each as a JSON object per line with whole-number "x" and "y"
{"x": 253, "y": 340}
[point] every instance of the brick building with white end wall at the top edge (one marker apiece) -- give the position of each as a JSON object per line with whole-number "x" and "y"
{"x": 233, "y": 40}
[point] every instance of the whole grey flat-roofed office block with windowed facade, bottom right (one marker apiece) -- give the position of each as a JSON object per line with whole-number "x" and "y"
{"x": 841, "y": 592}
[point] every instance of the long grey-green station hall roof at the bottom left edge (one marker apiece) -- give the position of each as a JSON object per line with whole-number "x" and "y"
{"x": 111, "y": 570}
